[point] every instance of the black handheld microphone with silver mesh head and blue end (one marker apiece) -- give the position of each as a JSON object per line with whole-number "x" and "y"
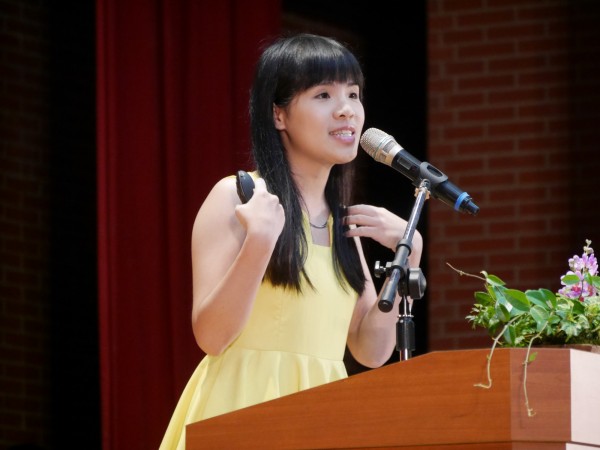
{"x": 383, "y": 148}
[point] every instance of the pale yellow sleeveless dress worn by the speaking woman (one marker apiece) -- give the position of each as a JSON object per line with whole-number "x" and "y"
{"x": 292, "y": 342}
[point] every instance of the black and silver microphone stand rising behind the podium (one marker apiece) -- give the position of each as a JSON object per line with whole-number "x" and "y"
{"x": 404, "y": 280}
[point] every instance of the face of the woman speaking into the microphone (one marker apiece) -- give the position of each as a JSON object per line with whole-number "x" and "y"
{"x": 322, "y": 124}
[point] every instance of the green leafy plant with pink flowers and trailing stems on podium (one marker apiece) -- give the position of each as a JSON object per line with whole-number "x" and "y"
{"x": 540, "y": 317}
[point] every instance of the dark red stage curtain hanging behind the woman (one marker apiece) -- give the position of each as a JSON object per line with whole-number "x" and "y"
{"x": 172, "y": 91}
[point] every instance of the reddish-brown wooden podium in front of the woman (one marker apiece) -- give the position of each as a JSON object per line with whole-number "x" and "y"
{"x": 429, "y": 402}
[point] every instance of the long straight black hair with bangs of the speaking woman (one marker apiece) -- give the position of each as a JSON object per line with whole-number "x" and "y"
{"x": 286, "y": 68}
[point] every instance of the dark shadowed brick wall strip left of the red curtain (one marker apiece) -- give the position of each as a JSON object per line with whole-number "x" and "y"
{"x": 24, "y": 211}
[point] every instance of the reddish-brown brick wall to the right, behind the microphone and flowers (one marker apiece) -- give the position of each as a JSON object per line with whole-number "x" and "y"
{"x": 513, "y": 100}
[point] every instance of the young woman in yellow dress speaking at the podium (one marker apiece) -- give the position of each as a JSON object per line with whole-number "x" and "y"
{"x": 281, "y": 285}
